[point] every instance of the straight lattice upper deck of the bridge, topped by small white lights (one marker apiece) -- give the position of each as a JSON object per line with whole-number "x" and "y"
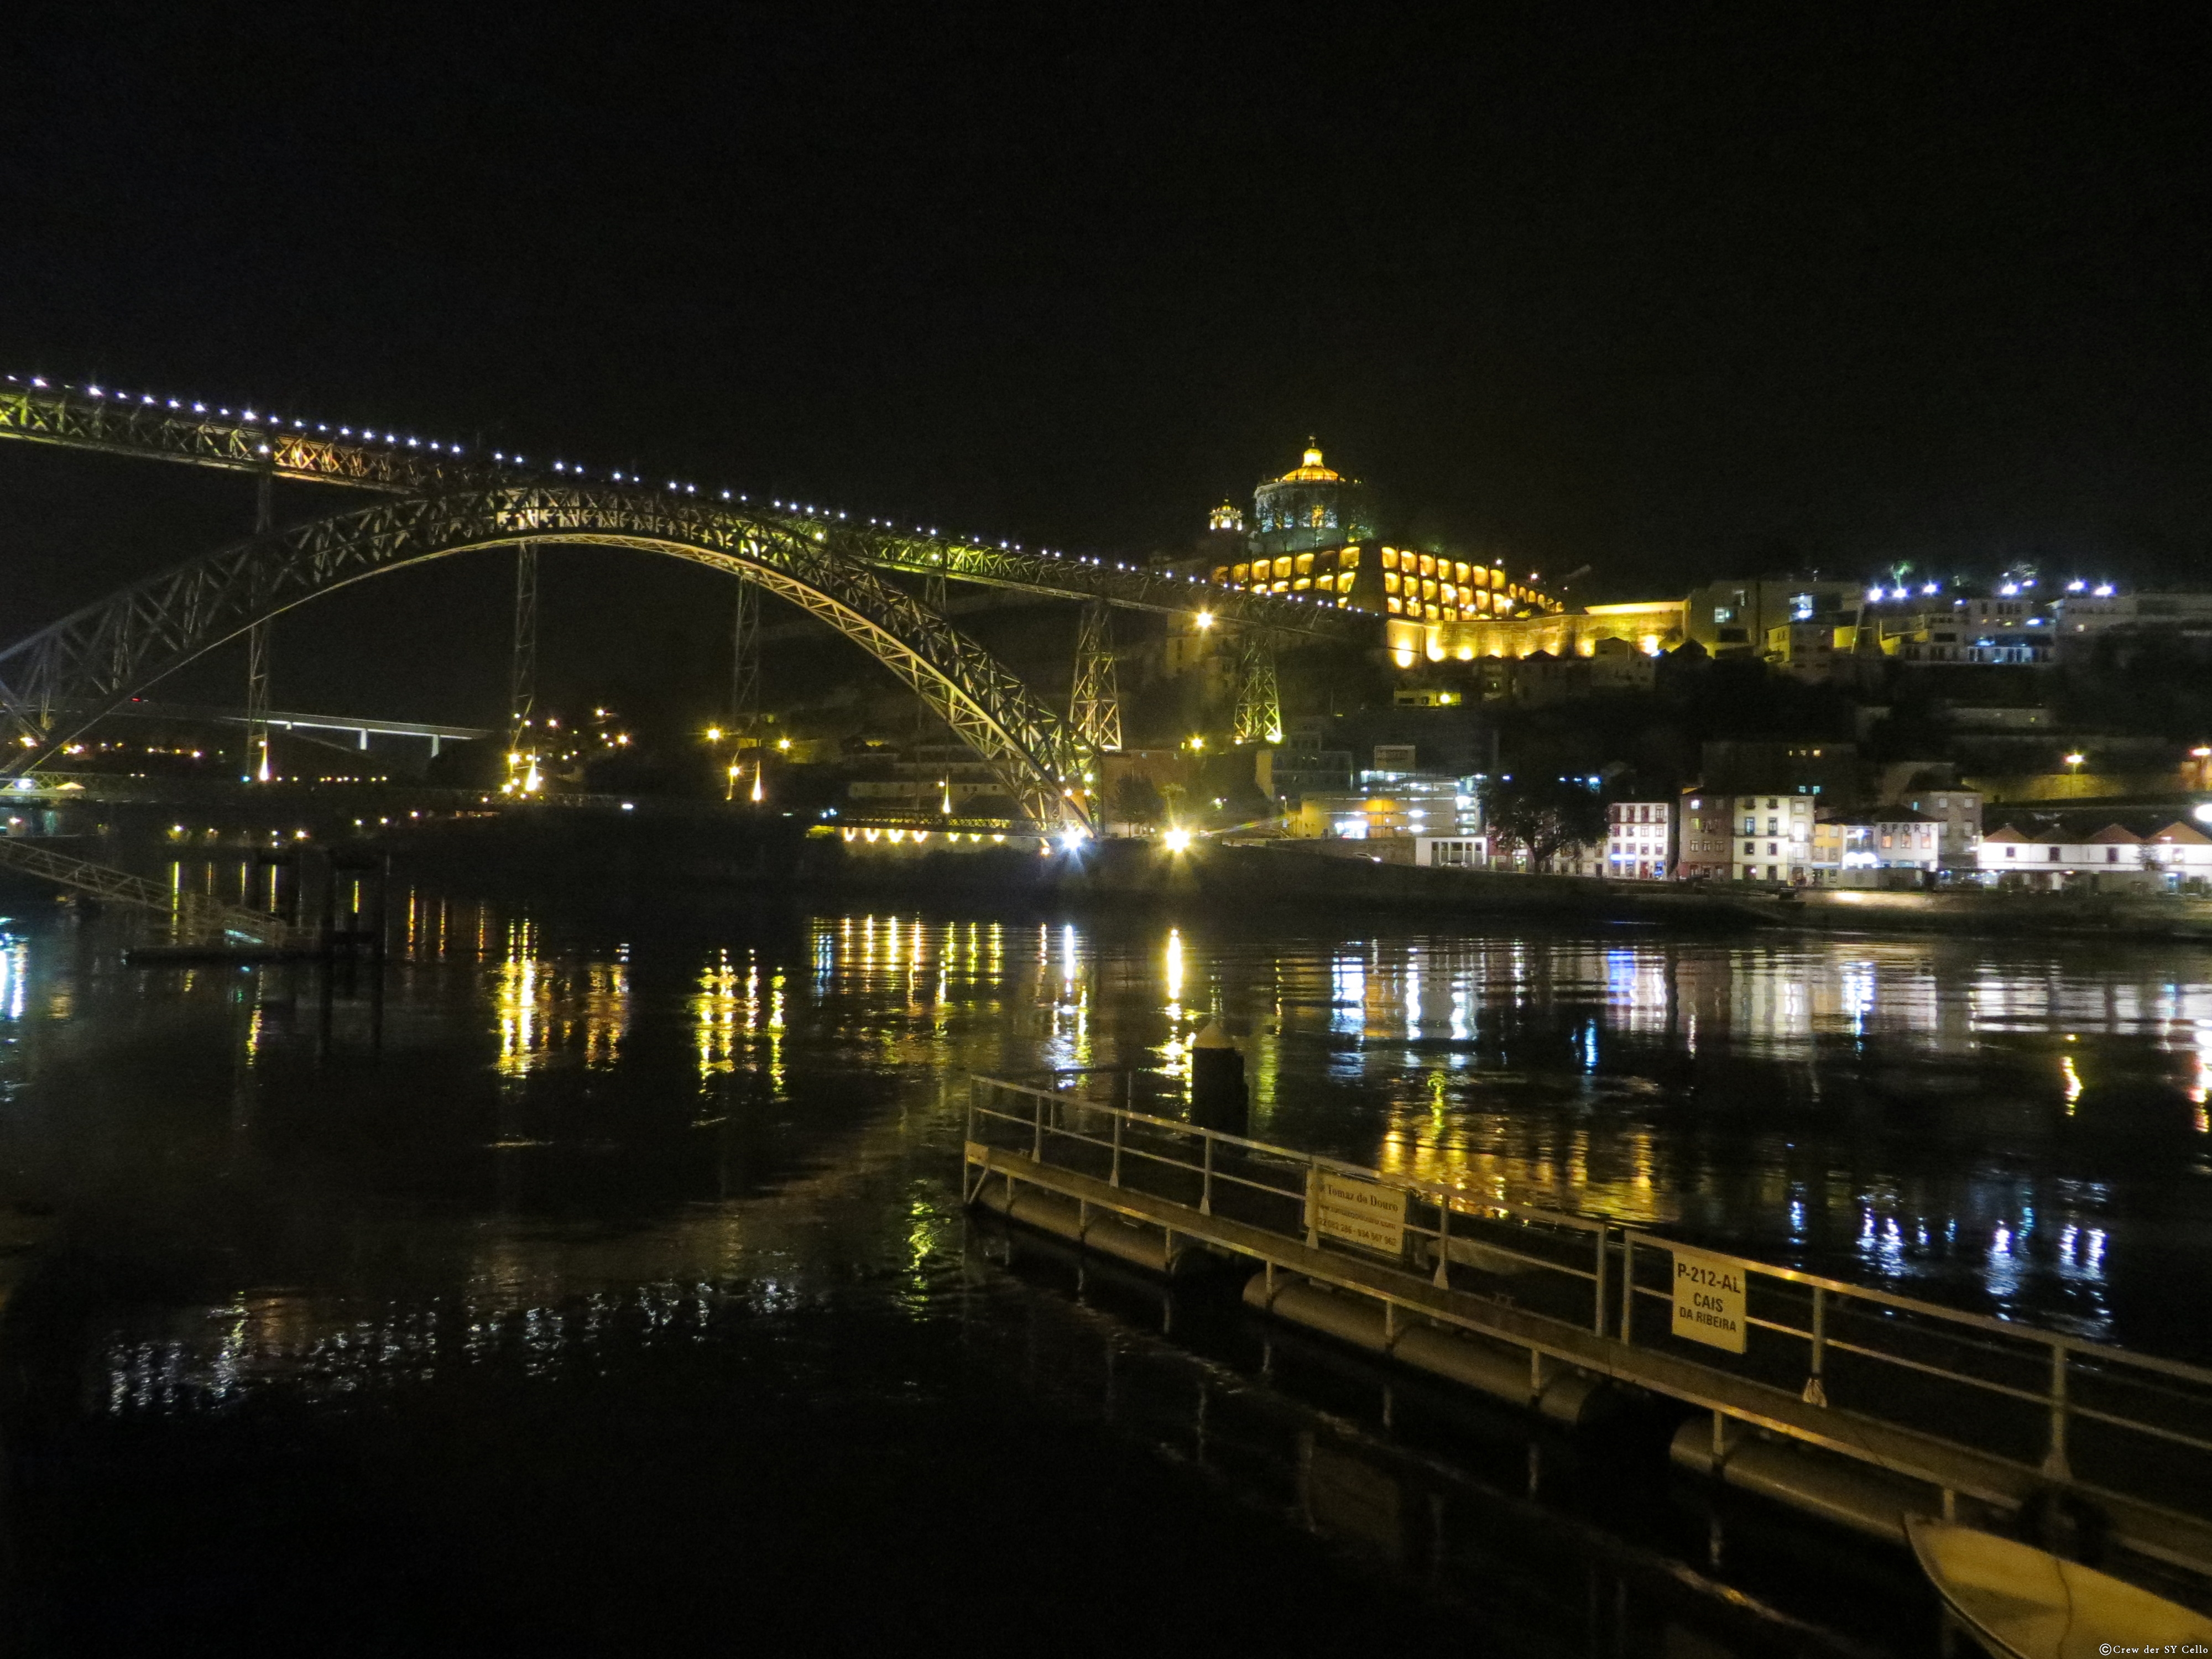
{"x": 121, "y": 426}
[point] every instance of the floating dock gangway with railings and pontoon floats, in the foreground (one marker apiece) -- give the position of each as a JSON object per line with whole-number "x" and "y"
{"x": 1930, "y": 1410}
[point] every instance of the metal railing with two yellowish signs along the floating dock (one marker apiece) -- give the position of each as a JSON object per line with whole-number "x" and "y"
{"x": 1961, "y": 1401}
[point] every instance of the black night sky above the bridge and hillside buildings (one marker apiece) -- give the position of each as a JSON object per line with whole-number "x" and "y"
{"x": 1682, "y": 295}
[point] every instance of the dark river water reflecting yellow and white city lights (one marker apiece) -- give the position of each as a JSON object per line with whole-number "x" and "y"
{"x": 609, "y": 1288}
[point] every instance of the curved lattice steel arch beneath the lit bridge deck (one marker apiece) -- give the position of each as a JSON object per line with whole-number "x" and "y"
{"x": 54, "y": 685}
